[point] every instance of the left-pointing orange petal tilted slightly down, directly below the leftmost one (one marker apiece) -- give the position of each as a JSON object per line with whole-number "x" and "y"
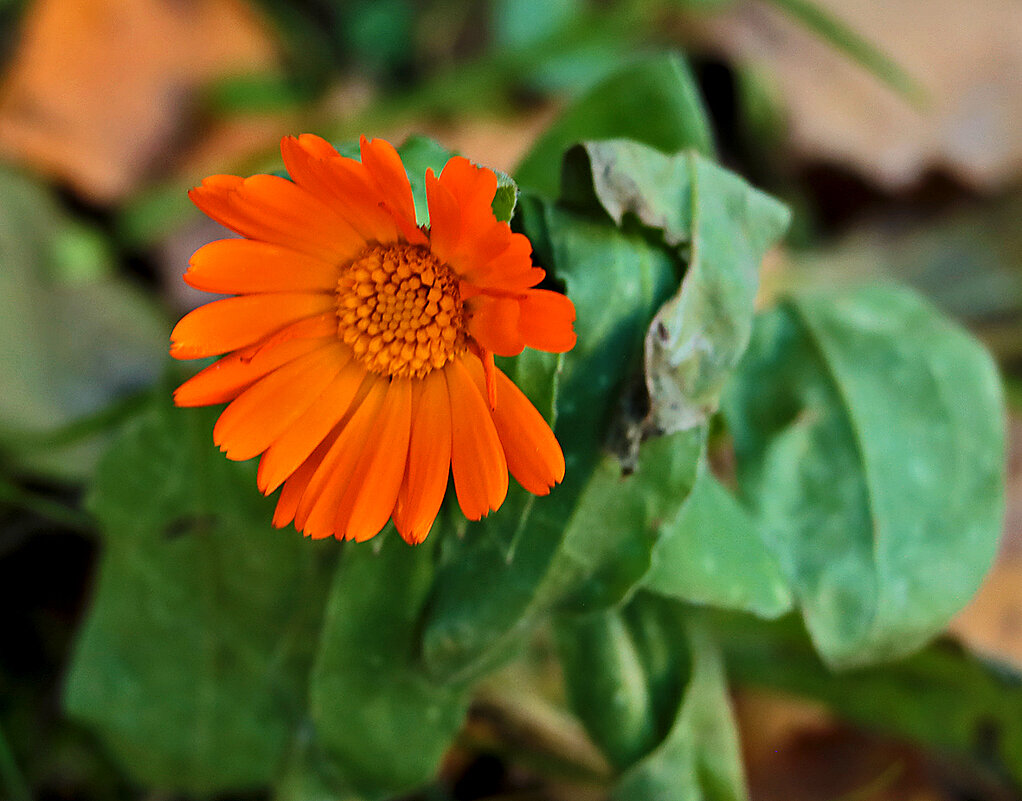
{"x": 226, "y": 380}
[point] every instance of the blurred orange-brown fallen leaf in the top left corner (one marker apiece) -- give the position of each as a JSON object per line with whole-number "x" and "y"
{"x": 100, "y": 91}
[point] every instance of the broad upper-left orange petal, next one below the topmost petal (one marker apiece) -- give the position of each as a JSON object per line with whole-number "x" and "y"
{"x": 274, "y": 210}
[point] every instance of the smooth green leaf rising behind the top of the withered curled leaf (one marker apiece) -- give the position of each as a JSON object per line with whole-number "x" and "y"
{"x": 655, "y": 101}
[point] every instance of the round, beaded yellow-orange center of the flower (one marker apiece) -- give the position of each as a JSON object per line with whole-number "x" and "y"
{"x": 400, "y": 311}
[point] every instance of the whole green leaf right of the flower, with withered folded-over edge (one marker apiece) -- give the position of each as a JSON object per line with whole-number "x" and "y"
{"x": 589, "y": 544}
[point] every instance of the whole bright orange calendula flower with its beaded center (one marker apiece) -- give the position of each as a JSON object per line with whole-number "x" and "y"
{"x": 360, "y": 347}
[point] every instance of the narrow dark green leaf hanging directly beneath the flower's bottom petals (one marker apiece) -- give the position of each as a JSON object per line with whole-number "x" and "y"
{"x": 378, "y": 715}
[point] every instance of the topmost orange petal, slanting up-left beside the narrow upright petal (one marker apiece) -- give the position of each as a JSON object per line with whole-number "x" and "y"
{"x": 344, "y": 183}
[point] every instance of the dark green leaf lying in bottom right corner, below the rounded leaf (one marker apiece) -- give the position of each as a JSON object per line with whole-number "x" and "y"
{"x": 962, "y": 706}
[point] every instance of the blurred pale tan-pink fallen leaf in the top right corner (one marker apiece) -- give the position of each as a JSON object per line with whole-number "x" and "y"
{"x": 967, "y": 57}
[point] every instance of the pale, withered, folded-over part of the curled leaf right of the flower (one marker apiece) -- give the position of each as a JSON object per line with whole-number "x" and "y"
{"x": 724, "y": 227}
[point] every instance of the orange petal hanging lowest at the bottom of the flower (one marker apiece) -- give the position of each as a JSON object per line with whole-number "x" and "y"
{"x": 429, "y": 461}
